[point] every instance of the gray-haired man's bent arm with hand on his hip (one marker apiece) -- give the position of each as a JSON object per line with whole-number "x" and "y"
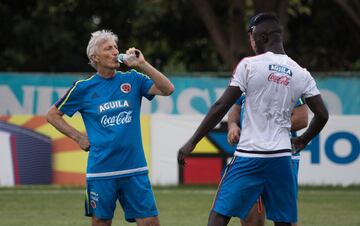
{"x": 55, "y": 118}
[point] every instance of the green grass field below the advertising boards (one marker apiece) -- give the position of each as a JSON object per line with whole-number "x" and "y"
{"x": 178, "y": 206}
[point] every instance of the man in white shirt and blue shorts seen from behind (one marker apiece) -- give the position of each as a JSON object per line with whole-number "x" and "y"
{"x": 261, "y": 166}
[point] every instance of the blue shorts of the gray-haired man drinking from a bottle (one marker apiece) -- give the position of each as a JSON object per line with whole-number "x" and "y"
{"x": 134, "y": 194}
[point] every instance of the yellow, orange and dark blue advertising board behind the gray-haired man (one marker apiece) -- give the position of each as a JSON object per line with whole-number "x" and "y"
{"x": 36, "y": 153}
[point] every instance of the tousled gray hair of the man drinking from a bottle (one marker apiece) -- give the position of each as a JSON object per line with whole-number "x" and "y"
{"x": 97, "y": 38}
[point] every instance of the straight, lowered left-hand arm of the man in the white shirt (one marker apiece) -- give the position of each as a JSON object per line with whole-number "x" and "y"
{"x": 213, "y": 117}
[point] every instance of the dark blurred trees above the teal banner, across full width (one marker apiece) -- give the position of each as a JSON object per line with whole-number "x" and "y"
{"x": 176, "y": 36}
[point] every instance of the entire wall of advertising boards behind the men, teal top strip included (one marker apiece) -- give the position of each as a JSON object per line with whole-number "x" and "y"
{"x": 331, "y": 158}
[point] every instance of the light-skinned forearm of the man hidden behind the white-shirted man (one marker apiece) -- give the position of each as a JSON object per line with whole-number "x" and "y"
{"x": 233, "y": 124}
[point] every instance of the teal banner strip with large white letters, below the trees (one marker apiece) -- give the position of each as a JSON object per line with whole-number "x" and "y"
{"x": 35, "y": 93}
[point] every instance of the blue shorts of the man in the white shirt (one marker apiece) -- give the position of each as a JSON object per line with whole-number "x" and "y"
{"x": 246, "y": 179}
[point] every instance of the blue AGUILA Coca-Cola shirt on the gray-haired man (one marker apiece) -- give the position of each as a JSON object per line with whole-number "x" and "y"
{"x": 110, "y": 109}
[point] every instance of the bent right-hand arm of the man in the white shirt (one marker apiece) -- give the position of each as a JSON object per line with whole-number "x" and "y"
{"x": 317, "y": 123}
